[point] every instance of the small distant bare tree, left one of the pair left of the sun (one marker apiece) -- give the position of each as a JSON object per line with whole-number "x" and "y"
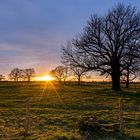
{"x": 15, "y": 74}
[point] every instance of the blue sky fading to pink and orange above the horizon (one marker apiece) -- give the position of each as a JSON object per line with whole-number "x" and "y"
{"x": 33, "y": 31}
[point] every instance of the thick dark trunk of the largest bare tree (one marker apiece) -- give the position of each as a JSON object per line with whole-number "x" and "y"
{"x": 116, "y": 78}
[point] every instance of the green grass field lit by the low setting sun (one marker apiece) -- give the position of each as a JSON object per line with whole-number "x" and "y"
{"x": 56, "y": 109}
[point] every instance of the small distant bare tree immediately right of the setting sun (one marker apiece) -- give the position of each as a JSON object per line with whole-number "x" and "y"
{"x": 59, "y": 73}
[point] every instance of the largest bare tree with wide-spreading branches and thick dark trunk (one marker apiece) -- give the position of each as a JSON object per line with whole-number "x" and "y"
{"x": 105, "y": 42}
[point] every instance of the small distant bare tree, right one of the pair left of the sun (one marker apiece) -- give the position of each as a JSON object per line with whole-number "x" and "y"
{"x": 28, "y": 74}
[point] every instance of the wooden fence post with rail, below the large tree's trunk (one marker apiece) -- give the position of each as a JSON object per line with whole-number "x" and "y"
{"x": 121, "y": 107}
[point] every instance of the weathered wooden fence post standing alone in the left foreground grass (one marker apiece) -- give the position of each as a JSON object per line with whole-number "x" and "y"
{"x": 27, "y": 119}
